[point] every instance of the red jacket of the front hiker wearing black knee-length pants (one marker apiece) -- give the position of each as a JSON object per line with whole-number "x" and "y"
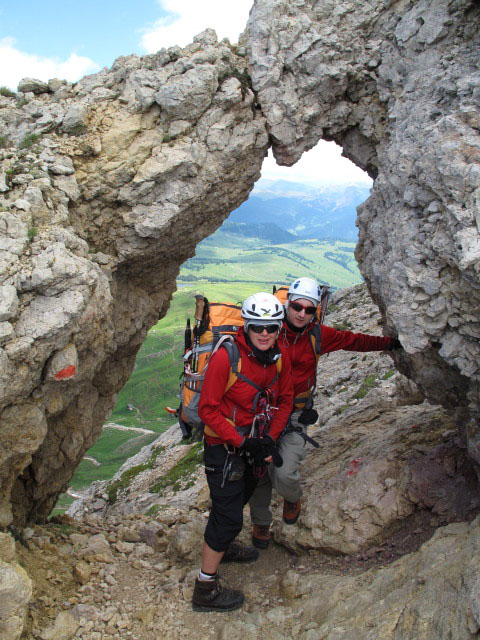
{"x": 218, "y": 406}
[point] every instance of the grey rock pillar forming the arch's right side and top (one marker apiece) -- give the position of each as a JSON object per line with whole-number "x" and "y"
{"x": 396, "y": 84}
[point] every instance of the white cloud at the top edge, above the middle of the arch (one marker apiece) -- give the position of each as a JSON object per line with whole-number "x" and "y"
{"x": 189, "y": 17}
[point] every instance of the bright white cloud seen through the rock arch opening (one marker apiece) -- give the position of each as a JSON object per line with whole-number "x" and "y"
{"x": 323, "y": 164}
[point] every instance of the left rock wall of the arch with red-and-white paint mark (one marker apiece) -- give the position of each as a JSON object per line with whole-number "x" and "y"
{"x": 106, "y": 188}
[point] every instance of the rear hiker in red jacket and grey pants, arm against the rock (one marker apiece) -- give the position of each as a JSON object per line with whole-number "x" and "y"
{"x": 304, "y": 340}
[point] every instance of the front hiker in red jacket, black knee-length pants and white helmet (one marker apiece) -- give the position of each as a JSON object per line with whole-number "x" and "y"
{"x": 242, "y": 422}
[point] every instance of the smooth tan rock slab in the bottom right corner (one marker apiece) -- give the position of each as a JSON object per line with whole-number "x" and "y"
{"x": 411, "y": 598}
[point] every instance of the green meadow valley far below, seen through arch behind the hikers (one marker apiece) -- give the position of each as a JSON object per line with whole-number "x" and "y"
{"x": 226, "y": 268}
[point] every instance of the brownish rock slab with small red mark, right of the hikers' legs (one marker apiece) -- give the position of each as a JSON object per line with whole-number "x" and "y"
{"x": 377, "y": 465}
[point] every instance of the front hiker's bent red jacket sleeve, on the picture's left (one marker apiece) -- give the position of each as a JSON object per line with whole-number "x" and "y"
{"x": 213, "y": 390}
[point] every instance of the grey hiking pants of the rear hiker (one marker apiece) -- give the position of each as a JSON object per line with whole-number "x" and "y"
{"x": 285, "y": 479}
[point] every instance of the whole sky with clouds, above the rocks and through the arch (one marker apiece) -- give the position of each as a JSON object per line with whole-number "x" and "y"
{"x": 69, "y": 39}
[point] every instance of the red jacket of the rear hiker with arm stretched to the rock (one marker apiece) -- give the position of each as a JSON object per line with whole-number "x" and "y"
{"x": 303, "y": 360}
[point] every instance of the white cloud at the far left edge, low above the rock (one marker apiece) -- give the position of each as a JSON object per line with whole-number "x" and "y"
{"x": 15, "y": 65}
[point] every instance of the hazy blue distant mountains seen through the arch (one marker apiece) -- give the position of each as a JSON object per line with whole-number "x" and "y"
{"x": 302, "y": 210}
